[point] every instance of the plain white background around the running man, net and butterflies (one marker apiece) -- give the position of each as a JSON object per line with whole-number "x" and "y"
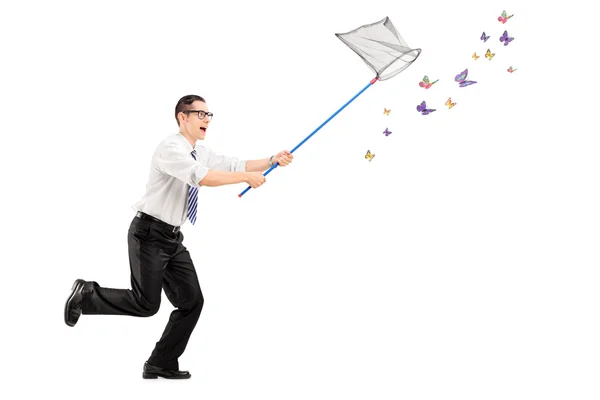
{"x": 462, "y": 262}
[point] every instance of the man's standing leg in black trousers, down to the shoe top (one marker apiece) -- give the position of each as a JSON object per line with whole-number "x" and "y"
{"x": 183, "y": 291}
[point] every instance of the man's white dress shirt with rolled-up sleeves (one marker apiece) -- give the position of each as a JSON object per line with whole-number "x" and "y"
{"x": 173, "y": 170}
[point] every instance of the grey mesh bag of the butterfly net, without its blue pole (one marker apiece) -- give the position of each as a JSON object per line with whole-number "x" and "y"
{"x": 380, "y": 46}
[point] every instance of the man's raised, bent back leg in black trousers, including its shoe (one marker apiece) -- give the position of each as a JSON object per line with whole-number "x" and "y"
{"x": 143, "y": 300}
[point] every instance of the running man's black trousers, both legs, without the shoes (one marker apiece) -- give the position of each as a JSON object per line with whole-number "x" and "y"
{"x": 158, "y": 260}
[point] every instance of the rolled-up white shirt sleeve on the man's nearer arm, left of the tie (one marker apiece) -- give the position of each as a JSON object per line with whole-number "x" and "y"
{"x": 172, "y": 161}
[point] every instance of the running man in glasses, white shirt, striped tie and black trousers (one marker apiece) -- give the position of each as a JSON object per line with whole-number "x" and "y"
{"x": 158, "y": 259}
